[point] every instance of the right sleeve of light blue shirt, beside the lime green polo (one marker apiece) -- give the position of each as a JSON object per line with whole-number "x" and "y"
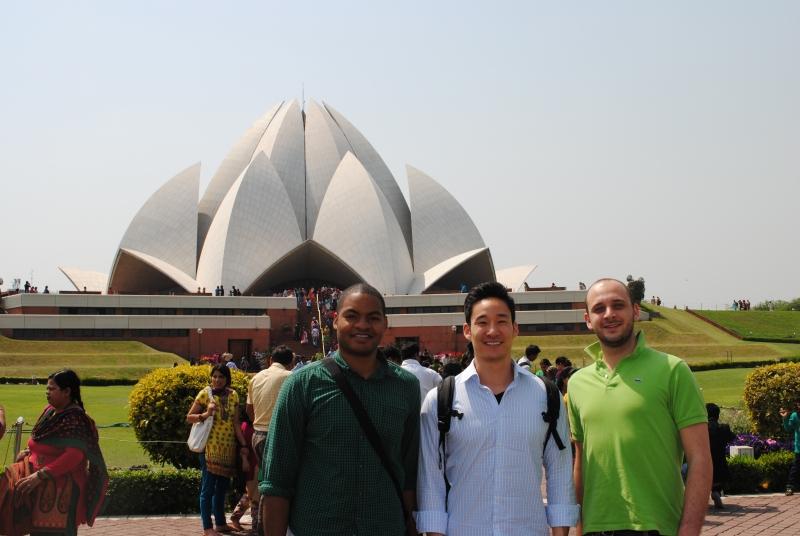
{"x": 562, "y": 509}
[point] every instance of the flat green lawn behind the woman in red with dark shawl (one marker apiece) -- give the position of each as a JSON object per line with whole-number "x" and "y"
{"x": 106, "y": 405}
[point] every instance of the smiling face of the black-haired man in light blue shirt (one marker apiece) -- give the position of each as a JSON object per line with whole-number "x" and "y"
{"x": 491, "y": 330}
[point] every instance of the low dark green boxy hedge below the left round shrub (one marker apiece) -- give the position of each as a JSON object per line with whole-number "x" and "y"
{"x": 143, "y": 492}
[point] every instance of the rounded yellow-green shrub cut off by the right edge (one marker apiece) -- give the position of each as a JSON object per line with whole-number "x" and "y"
{"x": 766, "y": 390}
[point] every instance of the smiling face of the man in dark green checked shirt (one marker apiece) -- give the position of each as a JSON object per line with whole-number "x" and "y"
{"x": 360, "y": 324}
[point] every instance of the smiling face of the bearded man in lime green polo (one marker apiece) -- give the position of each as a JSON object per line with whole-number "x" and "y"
{"x": 611, "y": 313}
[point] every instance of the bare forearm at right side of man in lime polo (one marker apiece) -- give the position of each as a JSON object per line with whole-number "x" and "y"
{"x": 698, "y": 481}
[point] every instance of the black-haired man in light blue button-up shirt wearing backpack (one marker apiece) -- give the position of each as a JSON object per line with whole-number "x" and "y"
{"x": 494, "y": 457}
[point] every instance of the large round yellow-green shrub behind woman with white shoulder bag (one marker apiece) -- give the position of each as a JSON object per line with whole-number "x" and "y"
{"x": 159, "y": 403}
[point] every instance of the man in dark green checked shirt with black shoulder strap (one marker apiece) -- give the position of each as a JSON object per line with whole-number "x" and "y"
{"x": 321, "y": 476}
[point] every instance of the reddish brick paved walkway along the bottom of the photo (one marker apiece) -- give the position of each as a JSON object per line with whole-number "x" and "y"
{"x": 750, "y": 515}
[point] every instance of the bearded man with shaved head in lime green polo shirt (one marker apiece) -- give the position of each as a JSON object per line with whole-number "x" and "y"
{"x": 633, "y": 415}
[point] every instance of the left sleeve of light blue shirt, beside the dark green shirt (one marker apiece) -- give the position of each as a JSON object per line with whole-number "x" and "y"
{"x": 432, "y": 513}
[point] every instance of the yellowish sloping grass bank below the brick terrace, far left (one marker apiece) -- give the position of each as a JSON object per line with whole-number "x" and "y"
{"x": 90, "y": 359}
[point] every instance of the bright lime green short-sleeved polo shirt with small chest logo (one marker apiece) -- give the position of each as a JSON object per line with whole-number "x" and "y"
{"x": 628, "y": 421}
